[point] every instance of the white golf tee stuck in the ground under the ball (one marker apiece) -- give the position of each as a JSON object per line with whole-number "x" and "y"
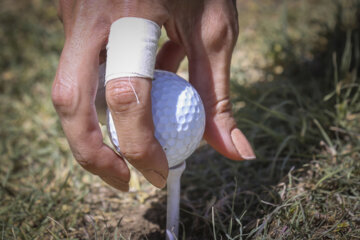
{"x": 173, "y": 201}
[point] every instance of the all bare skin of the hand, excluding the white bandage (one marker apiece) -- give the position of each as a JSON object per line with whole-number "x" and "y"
{"x": 204, "y": 30}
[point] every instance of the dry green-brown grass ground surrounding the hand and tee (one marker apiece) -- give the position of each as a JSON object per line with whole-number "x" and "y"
{"x": 295, "y": 92}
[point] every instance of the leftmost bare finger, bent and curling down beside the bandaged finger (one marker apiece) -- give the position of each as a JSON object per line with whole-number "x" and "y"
{"x": 73, "y": 95}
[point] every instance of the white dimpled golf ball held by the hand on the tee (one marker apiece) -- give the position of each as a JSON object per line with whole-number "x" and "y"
{"x": 178, "y": 115}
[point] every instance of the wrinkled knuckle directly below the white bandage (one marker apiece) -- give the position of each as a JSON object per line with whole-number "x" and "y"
{"x": 120, "y": 96}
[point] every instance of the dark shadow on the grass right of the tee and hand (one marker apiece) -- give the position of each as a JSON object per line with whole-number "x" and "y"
{"x": 280, "y": 118}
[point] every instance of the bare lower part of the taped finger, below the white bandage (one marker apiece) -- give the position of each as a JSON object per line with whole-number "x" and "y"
{"x": 129, "y": 101}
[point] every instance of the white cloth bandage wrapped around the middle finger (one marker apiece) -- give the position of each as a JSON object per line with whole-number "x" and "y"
{"x": 131, "y": 48}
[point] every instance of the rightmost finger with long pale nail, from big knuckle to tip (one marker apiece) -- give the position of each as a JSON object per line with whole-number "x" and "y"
{"x": 209, "y": 69}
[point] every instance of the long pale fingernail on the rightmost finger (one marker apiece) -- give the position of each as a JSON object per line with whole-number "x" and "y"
{"x": 242, "y": 145}
